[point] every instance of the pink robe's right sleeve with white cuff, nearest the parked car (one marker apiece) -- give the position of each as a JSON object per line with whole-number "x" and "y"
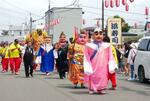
{"x": 112, "y": 63}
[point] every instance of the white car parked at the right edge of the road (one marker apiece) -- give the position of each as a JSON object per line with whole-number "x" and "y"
{"x": 142, "y": 60}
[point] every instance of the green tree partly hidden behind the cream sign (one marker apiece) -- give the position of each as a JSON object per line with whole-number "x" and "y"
{"x": 125, "y": 26}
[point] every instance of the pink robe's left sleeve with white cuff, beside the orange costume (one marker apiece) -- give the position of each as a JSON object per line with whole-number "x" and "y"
{"x": 87, "y": 62}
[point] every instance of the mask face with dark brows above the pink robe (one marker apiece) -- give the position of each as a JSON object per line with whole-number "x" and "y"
{"x": 98, "y": 36}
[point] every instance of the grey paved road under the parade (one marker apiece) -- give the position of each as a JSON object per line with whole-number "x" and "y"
{"x": 50, "y": 88}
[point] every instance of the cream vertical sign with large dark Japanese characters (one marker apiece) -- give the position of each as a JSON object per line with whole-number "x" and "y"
{"x": 114, "y": 30}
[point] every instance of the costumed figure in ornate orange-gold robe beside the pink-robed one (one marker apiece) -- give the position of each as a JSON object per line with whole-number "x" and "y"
{"x": 76, "y": 55}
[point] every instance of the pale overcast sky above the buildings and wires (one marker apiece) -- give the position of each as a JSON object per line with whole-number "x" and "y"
{"x": 16, "y": 12}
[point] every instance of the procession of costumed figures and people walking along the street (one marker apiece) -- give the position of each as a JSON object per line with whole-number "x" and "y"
{"x": 90, "y": 64}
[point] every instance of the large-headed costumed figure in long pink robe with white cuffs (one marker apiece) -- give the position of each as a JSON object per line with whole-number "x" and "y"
{"x": 98, "y": 62}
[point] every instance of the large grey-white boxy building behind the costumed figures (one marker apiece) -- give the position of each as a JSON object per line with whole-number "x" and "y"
{"x": 66, "y": 19}
